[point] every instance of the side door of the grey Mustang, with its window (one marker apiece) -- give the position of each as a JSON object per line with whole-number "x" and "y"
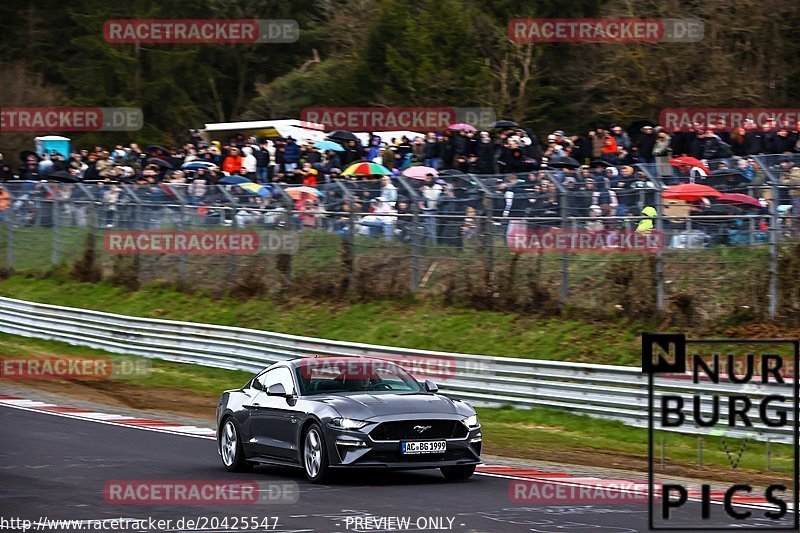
{"x": 273, "y": 422}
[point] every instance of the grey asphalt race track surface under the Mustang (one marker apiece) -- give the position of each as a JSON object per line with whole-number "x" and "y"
{"x": 57, "y": 467}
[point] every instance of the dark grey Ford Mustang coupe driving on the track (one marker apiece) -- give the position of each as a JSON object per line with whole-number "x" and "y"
{"x": 323, "y": 413}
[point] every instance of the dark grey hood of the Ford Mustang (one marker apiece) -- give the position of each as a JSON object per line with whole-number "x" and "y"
{"x": 363, "y": 406}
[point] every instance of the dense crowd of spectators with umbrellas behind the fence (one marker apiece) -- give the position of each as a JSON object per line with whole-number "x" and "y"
{"x": 613, "y": 175}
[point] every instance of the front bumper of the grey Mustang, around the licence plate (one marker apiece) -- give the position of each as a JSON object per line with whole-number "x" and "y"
{"x": 357, "y": 449}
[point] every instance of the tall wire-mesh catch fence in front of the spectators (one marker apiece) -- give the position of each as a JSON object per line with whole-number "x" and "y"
{"x": 477, "y": 239}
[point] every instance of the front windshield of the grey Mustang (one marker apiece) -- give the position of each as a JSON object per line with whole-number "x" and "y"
{"x": 353, "y": 375}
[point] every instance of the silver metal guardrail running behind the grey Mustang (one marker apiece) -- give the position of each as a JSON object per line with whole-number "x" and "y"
{"x": 604, "y": 391}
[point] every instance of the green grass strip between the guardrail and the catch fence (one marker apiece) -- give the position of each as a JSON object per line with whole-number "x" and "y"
{"x": 393, "y": 323}
